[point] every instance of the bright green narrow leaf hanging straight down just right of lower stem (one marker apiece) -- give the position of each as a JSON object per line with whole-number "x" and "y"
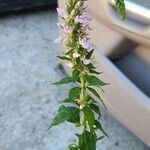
{"x": 89, "y": 116}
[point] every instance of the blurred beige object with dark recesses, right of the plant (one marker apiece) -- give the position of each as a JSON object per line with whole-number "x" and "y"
{"x": 123, "y": 52}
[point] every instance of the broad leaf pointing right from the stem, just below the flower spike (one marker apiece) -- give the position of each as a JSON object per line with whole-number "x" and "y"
{"x": 94, "y": 81}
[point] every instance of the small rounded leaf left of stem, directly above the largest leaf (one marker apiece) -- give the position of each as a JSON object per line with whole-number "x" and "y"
{"x": 74, "y": 92}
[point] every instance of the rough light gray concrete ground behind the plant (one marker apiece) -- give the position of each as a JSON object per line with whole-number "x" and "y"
{"x": 27, "y": 102}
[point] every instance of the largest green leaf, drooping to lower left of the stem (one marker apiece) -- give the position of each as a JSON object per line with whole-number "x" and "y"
{"x": 70, "y": 114}
